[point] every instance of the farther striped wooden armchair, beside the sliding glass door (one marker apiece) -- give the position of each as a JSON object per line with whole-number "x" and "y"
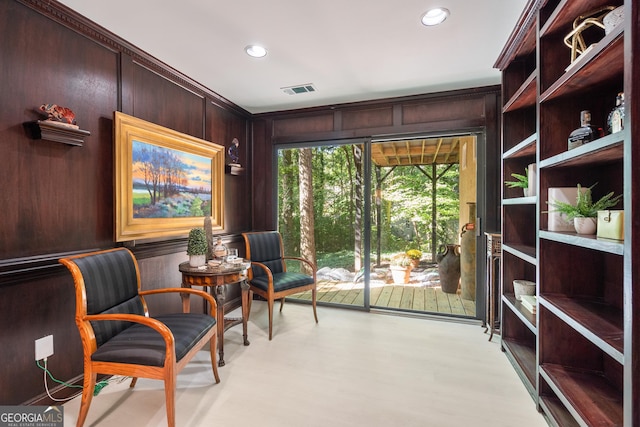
{"x": 268, "y": 275}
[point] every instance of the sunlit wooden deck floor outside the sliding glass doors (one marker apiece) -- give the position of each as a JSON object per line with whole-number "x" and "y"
{"x": 415, "y": 296}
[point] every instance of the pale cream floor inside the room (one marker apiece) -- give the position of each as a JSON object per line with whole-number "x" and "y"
{"x": 351, "y": 369}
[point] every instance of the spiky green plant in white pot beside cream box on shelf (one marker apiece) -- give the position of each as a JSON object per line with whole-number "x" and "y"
{"x": 585, "y": 212}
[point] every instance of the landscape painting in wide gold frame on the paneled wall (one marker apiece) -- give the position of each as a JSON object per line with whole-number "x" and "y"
{"x": 166, "y": 182}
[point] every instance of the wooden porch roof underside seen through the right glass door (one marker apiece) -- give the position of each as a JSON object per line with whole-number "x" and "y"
{"x": 426, "y": 151}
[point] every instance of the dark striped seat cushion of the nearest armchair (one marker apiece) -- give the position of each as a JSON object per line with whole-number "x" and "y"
{"x": 142, "y": 345}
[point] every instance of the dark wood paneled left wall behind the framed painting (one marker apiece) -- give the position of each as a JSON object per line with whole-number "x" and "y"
{"x": 58, "y": 198}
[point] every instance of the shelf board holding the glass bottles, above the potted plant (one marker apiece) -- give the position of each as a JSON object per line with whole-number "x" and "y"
{"x": 603, "y": 150}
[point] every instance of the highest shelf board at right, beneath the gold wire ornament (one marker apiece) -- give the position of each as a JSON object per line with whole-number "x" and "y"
{"x": 604, "y": 62}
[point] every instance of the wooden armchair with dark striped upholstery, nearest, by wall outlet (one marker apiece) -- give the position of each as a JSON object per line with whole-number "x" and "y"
{"x": 118, "y": 336}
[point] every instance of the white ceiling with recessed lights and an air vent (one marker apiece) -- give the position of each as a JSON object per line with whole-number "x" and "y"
{"x": 351, "y": 50}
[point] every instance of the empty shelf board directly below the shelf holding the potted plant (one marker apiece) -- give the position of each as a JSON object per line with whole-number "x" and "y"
{"x": 600, "y": 323}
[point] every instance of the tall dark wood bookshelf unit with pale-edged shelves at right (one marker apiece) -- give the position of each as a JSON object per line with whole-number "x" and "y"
{"x": 579, "y": 354}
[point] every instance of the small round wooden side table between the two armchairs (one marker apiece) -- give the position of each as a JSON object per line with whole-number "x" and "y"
{"x": 216, "y": 278}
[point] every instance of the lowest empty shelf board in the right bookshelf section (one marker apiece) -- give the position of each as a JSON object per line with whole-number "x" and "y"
{"x": 588, "y": 396}
